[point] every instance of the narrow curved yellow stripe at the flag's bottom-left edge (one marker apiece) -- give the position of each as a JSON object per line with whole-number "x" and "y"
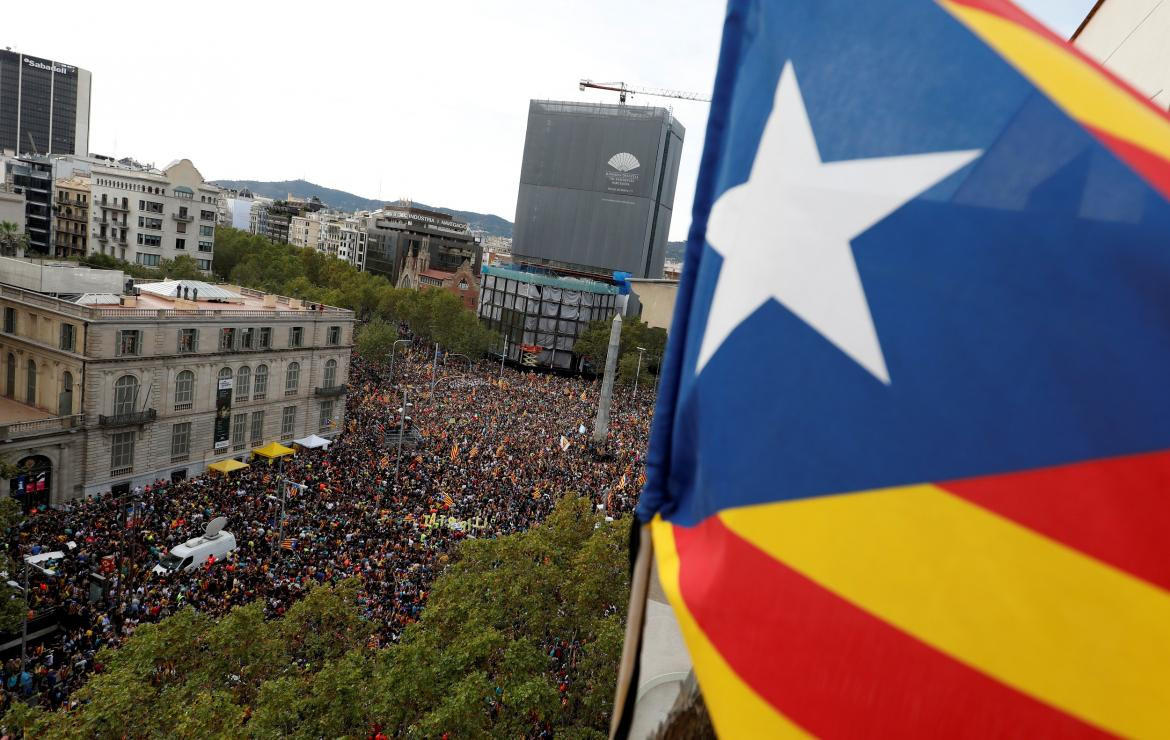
{"x": 737, "y": 710}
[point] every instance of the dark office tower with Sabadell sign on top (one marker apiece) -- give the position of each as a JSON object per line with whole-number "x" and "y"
{"x": 44, "y": 106}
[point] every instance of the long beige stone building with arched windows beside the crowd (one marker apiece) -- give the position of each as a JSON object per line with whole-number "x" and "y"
{"x": 146, "y": 375}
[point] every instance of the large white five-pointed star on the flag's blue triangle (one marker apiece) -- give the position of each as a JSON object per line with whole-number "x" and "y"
{"x": 786, "y": 234}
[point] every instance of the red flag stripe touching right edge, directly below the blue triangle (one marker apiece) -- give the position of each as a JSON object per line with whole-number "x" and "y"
{"x": 1117, "y": 510}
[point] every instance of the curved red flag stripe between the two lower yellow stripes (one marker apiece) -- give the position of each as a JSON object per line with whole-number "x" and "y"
{"x": 837, "y": 670}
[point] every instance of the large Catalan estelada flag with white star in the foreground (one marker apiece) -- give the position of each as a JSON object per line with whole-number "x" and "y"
{"x": 910, "y": 474}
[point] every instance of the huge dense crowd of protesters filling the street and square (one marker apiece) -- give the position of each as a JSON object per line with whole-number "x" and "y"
{"x": 494, "y": 455}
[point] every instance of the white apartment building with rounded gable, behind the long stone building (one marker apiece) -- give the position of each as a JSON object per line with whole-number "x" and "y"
{"x": 147, "y": 216}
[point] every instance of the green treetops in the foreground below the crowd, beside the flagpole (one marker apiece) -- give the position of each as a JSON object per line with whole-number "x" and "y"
{"x": 476, "y": 666}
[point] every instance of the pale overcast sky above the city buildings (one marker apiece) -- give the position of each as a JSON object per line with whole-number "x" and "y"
{"x": 386, "y": 100}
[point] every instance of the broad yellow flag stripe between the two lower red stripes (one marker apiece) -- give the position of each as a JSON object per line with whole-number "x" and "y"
{"x": 1035, "y": 614}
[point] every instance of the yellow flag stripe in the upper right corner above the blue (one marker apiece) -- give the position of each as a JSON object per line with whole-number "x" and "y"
{"x": 1073, "y": 84}
